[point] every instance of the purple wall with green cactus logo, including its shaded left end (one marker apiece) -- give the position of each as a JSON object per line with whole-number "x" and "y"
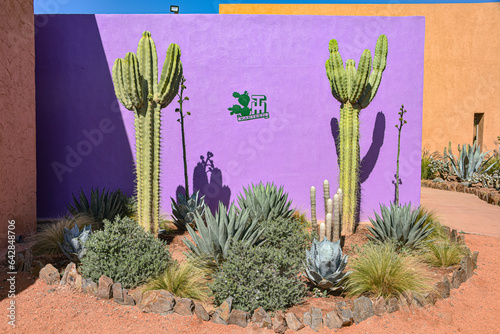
{"x": 282, "y": 57}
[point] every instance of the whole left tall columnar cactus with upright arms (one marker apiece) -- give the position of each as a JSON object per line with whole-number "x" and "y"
{"x": 135, "y": 78}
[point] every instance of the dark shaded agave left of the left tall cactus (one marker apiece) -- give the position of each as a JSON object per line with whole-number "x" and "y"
{"x": 102, "y": 205}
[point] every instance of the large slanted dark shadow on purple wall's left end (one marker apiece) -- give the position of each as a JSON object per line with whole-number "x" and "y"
{"x": 80, "y": 139}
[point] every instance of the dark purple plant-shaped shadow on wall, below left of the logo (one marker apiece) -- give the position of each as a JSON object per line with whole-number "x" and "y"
{"x": 213, "y": 189}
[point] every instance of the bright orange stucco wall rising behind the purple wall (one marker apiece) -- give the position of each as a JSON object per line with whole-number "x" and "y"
{"x": 462, "y": 67}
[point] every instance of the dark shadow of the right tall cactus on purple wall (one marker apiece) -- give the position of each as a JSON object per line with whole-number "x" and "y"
{"x": 369, "y": 161}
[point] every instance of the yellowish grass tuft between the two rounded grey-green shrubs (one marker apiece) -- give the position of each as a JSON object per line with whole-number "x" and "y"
{"x": 184, "y": 280}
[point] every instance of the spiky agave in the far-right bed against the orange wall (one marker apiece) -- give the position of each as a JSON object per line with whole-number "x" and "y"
{"x": 470, "y": 160}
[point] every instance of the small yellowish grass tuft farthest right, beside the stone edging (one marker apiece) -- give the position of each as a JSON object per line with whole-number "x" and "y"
{"x": 443, "y": 254}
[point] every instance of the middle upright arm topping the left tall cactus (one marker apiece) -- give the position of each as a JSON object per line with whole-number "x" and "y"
{"x": 148, "y": 63}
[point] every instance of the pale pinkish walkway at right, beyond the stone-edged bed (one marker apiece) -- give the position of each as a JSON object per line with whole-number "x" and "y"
{"x": 461, "y": 211}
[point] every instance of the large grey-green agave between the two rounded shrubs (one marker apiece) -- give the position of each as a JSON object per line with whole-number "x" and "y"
{"x": 212, "y": 244}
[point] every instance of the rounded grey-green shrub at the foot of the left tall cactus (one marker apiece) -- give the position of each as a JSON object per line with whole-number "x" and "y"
{"x": 124, "y": 252}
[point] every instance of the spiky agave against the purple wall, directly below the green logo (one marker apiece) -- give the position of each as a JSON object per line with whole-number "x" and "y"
{"x": 265, "y": 202}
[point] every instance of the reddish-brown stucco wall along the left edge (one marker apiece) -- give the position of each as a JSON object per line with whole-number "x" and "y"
{"x": 17, "y": 118}
